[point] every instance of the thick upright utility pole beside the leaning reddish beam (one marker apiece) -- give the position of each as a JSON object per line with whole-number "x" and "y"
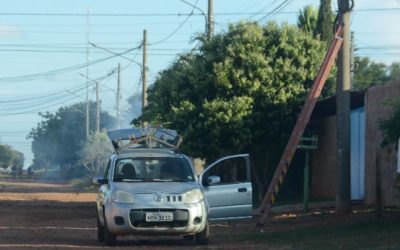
{"x": 343, "y": 114}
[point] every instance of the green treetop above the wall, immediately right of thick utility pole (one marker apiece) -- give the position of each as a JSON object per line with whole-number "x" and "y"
{"x": 368, "y": 73}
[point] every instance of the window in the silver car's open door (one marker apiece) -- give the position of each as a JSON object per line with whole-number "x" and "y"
{"x": 230, "y": 171}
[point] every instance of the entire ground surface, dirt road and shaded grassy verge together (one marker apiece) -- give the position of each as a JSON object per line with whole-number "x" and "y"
{"x": 46, "y": 215}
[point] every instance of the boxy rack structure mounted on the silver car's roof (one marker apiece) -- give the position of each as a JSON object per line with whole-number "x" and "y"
{"x": 147, "y": 137}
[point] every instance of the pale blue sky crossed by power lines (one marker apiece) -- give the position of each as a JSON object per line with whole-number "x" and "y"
{"x": 45, "y": 45}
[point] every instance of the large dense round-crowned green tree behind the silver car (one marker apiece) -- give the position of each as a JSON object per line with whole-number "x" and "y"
{"x": 240, "y": 93}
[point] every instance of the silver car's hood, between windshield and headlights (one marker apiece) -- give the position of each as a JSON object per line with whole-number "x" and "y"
{"x": 156, "y": 187}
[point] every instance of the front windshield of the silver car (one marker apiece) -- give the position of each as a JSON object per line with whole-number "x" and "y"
{"x": 153, "y": 169}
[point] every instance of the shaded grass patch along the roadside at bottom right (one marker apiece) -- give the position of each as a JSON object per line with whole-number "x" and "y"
{"x": 370, "y": 233}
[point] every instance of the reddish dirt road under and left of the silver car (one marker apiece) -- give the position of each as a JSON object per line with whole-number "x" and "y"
{"x": 45, "y": 215}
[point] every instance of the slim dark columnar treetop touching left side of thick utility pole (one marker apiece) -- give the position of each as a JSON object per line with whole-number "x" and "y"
{"x": 325, "y": 21}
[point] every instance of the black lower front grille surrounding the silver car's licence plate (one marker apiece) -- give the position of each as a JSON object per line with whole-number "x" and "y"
{"x": 138, "y": 218}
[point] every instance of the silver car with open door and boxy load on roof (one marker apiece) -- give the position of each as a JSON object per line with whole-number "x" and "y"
{"x": 150, "y": 189}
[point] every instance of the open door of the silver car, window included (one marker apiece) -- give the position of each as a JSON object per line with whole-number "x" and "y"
{"x": 227, "y": 187}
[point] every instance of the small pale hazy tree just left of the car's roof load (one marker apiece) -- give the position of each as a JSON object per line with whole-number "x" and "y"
{"x": 95, "y": 153}
